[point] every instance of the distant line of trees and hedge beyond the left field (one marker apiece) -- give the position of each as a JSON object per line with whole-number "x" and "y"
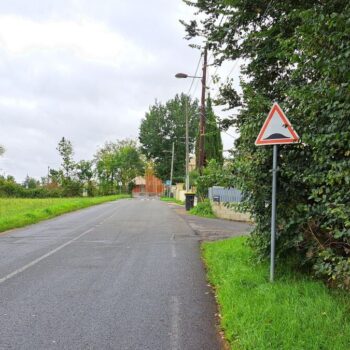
{"x": 111, "y": 171}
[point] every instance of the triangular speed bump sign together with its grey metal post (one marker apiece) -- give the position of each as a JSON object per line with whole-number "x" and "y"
{"x": 277, "y": 130}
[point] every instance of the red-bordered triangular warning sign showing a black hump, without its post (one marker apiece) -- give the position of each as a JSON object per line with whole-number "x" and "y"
{"x": 277, "y": 129}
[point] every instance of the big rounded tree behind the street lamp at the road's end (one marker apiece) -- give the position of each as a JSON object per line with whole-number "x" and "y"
{"x": 164, "y": 124}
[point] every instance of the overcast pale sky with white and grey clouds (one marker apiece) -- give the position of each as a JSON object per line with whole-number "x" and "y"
{"x": 87, "y": 70}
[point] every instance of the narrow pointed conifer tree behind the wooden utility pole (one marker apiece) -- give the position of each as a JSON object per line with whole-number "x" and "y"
{"x": 213, "y": 143}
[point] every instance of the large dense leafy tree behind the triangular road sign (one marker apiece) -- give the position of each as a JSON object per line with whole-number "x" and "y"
{"x": 295, "y": 52}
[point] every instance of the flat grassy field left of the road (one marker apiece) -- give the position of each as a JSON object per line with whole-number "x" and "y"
{"x": 18, "y": 212}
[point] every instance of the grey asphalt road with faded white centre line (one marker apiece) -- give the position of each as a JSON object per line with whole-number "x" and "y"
{"x": 122, "y": 275}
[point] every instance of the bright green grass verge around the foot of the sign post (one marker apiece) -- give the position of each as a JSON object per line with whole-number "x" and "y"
{"x": 294, "y": 312}
